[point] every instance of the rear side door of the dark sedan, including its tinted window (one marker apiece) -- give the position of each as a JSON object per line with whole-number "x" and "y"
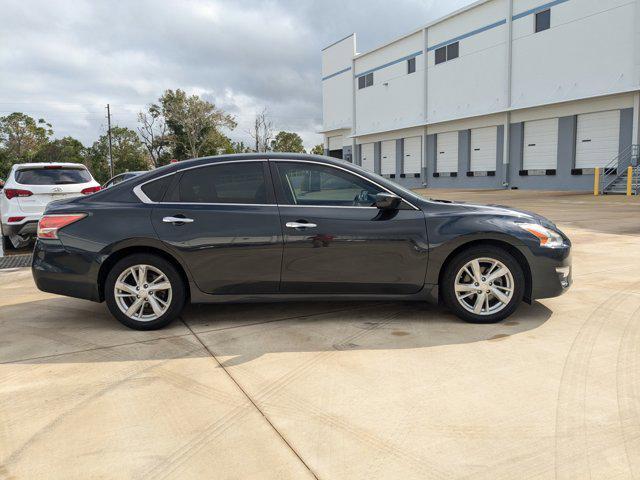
{"x": 229, "y": 248}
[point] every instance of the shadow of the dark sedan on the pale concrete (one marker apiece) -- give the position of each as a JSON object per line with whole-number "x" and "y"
{"x": 65, "y": 330}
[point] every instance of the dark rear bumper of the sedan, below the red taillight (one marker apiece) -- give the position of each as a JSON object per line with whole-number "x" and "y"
{"x": 57, "y": 271}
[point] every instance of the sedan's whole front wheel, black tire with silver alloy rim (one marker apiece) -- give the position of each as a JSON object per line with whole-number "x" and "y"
{"x": 466, "y": 307}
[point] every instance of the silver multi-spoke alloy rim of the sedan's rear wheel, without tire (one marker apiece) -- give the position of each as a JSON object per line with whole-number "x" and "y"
{"x": 143, "y": 292}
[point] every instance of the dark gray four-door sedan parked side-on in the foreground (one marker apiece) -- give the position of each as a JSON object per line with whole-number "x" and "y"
{"x": 264, "y": 227}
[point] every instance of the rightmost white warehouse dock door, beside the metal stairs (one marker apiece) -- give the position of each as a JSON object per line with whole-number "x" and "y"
{"x": 597, "y": 139}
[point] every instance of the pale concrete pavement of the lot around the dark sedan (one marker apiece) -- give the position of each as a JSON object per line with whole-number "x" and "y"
{"x": 338, "y": 390}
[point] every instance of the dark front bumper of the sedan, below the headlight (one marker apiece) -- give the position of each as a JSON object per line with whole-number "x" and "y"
{"x": 551, "y": 271}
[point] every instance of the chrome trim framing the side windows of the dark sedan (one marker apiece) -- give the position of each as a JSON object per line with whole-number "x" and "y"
{"x": 137, "y": 190}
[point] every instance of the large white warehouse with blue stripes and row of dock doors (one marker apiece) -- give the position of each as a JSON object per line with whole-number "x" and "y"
{"x": 501, "y": 94}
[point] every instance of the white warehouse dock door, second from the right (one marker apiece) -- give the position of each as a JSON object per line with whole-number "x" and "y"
{"x": 540, "y": 145}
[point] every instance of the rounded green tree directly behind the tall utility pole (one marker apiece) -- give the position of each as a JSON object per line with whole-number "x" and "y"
{"x": 127, "y": 150}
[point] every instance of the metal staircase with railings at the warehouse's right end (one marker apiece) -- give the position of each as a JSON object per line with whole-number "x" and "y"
{"x": 614, "y": 175}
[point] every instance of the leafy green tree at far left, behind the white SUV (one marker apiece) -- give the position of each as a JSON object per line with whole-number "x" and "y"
{"x": 21, "y": 136}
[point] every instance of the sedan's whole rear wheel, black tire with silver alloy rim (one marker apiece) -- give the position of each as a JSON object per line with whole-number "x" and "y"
{"x": 158, "y": 304}
